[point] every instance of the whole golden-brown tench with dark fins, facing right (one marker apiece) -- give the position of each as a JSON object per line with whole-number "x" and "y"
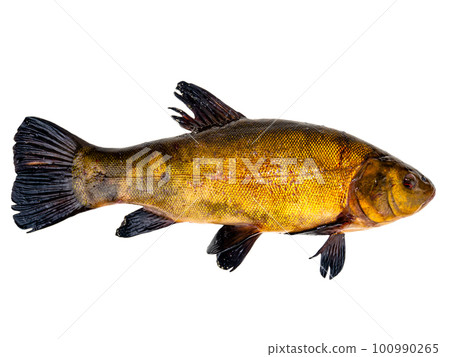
{"x": 248, "y": 175}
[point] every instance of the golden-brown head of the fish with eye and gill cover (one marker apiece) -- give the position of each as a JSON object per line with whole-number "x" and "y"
{"x": 387, "y": 189}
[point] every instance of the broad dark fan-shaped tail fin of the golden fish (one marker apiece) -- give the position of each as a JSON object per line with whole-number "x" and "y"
{"x": 43, "y": 157}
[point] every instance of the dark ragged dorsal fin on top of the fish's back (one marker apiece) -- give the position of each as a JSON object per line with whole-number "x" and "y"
{"x": 209, "y": 111}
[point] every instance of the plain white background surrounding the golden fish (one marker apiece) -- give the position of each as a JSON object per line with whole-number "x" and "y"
{"x": 75, "y": 289}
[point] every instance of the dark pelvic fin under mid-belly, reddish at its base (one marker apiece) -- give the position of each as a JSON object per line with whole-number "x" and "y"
{"x": 232, "y": 244}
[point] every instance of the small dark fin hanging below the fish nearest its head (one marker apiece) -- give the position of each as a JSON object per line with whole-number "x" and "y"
{"x": 332, "y": 255}
